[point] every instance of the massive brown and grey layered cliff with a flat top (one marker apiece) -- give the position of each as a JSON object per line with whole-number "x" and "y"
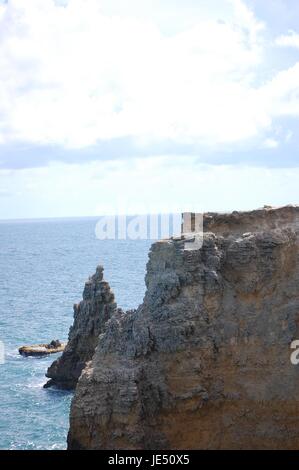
{"x": 204, "y": 362}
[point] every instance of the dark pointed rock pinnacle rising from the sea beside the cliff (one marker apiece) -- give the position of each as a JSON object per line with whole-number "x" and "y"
{"x": 90, "y": 316}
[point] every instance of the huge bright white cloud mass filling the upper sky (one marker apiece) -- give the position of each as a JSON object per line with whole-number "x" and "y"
{"x": 77, "y": 74}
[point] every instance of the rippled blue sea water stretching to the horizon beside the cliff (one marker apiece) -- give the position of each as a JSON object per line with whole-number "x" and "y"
{"x": 43, "y": 267}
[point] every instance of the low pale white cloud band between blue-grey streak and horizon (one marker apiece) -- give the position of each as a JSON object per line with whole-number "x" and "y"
{"x": 138, "y": 186}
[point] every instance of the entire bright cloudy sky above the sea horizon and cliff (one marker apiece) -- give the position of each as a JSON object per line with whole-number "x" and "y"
{"x": 138, "y": 106}
